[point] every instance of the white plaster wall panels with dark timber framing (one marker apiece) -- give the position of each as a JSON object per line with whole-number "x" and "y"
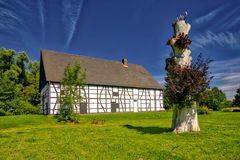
{"x": 99, "y": 98}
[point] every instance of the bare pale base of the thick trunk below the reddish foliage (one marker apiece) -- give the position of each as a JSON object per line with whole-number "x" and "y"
{"x": 185, "y": 119}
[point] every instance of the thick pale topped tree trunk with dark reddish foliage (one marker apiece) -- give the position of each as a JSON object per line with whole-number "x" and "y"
{"x": 185, "y": 81}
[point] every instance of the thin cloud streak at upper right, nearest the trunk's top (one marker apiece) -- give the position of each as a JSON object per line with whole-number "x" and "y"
{"x": 209, "y": 16}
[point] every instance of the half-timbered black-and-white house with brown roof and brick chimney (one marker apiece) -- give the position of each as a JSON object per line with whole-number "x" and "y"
{"x": 111, "y": 86}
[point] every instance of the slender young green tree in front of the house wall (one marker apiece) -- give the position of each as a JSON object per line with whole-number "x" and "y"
{"x": 73, "y": 80}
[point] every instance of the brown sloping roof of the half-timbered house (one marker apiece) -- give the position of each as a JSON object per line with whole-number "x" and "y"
{"x": 98, "y": 71}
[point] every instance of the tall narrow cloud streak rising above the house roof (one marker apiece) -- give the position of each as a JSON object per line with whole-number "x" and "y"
{"x": 71, "y": 14}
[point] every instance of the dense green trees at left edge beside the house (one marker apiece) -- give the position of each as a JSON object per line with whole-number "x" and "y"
{"x": 19, "y": 83}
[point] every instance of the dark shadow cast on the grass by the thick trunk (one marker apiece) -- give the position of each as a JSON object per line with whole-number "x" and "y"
{"x": 148, "y": 130}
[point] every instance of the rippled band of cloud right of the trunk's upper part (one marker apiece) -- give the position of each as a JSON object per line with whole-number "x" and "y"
{"x": 222, "y": 39}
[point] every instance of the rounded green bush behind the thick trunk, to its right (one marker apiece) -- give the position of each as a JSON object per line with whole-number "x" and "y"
{"x": 214, "y": 98}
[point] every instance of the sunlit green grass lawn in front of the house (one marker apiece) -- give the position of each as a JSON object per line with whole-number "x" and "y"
{"x": 140, "y": 136}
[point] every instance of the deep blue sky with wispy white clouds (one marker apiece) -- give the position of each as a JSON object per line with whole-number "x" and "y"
{"x": 136, "y": 29}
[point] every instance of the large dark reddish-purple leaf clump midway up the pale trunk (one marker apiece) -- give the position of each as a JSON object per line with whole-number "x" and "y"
{"x": 185, "y": 84}
